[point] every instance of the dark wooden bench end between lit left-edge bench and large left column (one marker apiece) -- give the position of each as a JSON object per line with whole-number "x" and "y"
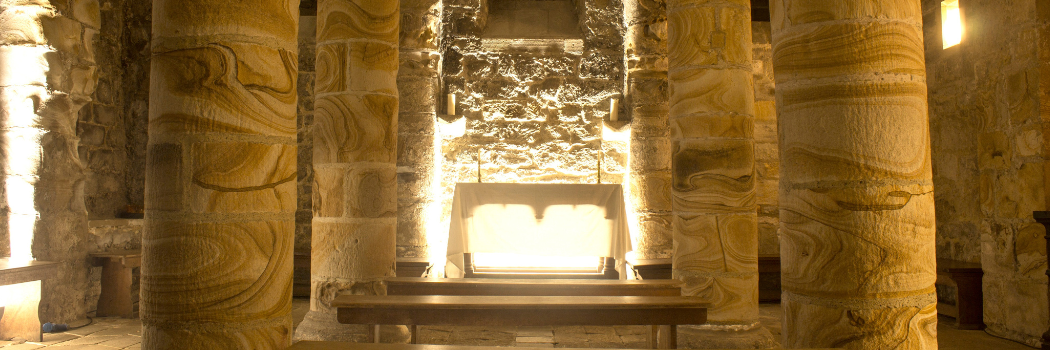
{"x": 117, "y": 269}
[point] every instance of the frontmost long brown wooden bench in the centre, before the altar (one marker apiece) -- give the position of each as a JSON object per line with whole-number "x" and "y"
{"x": 660, "y": 313}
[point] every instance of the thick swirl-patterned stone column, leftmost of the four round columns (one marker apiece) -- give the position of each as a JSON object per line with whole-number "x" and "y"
{"x": 217, "y": 270}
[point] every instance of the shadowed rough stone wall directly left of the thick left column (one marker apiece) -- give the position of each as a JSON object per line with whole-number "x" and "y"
{"x": 113, "y": 127}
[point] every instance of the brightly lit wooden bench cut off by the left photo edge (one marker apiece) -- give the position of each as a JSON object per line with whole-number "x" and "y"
{"x": 22, "y": 319}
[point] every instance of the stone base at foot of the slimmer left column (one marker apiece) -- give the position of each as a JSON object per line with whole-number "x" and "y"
{"x": 320, "y": 326}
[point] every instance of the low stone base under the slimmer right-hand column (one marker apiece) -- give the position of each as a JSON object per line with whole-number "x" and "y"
{"x": 726, "y": 337}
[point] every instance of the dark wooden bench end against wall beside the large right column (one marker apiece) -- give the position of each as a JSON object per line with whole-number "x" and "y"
{"x": 960, "y": 294}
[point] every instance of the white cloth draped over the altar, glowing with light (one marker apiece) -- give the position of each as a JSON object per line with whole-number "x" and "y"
{"x": 553, "y": 220}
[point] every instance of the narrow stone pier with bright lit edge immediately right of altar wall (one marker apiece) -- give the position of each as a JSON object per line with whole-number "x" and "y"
{"x": 647, "y": 98}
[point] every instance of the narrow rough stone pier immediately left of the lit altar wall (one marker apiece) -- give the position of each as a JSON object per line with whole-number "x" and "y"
{"x": 418, "y": 81}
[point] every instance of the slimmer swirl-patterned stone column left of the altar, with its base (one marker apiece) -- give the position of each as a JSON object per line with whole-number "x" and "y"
{"x": 355, "y": 155}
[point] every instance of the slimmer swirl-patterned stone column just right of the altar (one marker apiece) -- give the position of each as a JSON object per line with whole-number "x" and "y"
{"x": 713, "y": 156}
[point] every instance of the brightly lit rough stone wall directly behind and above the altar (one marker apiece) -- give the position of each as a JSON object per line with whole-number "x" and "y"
{"x": 535, "y": 115}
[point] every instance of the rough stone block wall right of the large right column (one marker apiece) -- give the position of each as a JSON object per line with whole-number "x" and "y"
{"x": 990, "y": 156}
